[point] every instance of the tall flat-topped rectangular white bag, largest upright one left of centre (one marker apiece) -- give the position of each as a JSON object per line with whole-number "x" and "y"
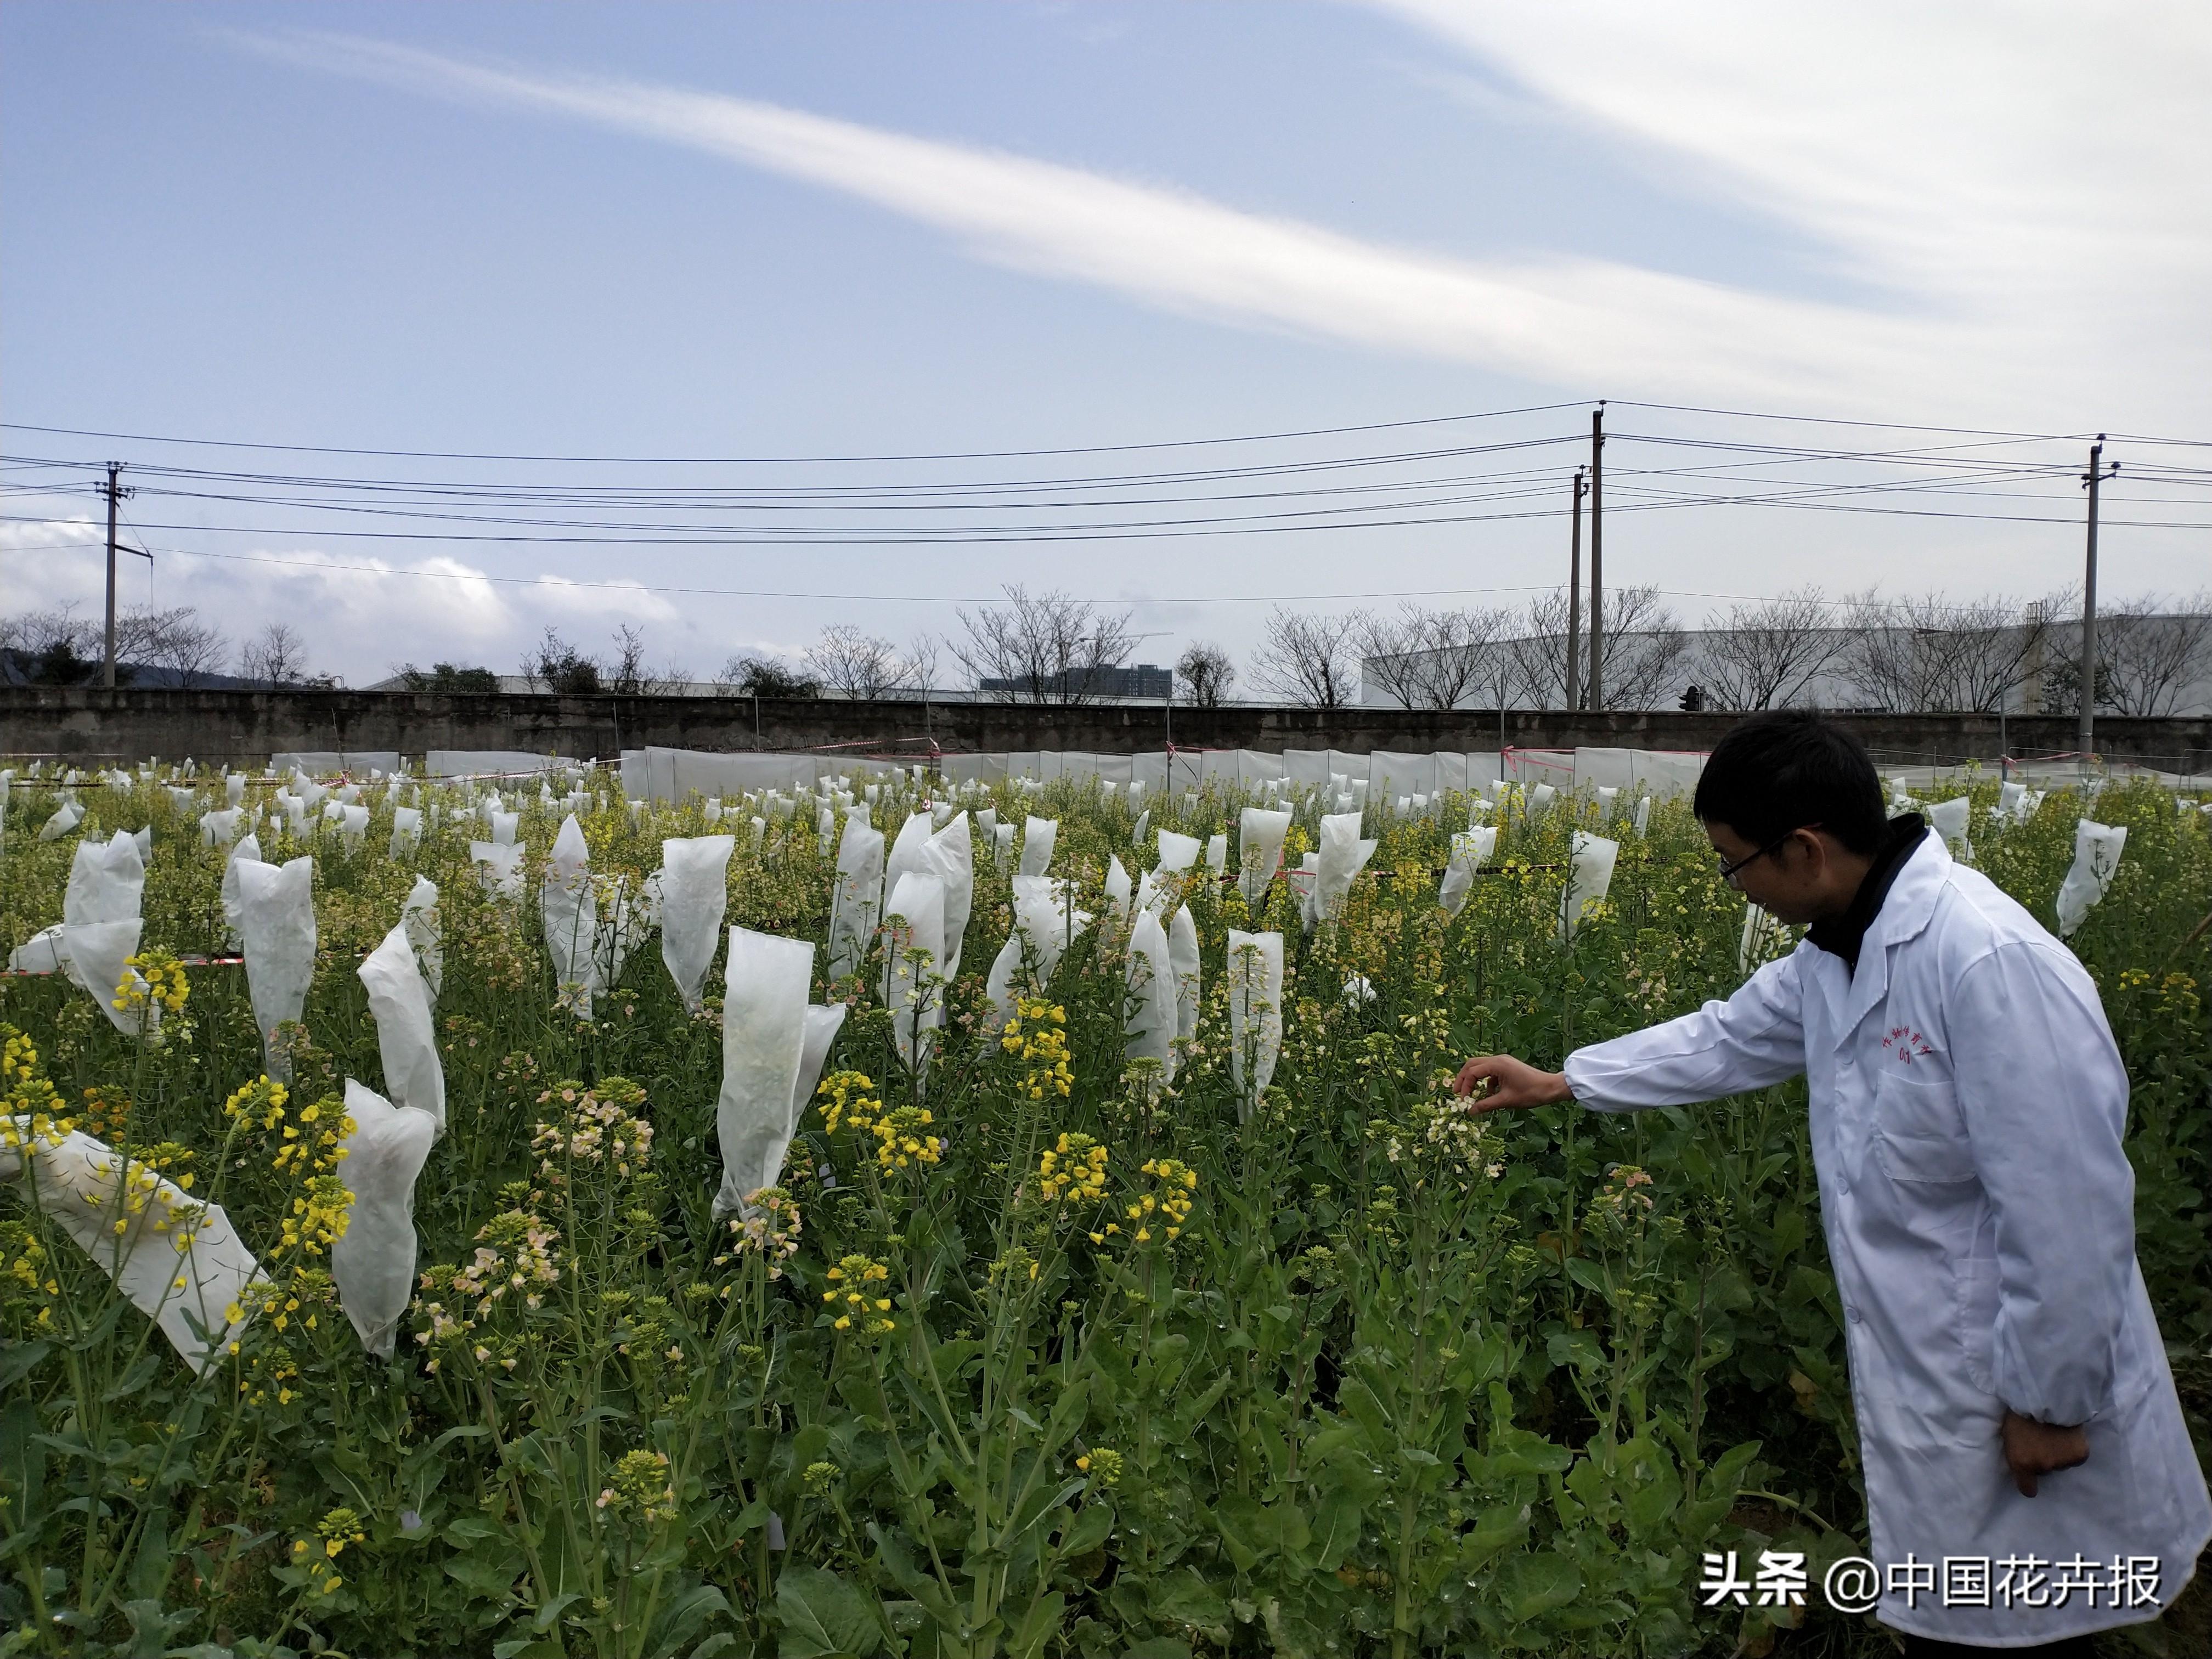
{"x": 764, "y": 1027}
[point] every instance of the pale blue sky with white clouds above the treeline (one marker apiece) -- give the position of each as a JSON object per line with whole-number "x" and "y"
{"x": 886, "y": 231}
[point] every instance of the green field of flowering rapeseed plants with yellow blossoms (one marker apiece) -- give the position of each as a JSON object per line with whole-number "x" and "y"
{"x": 1027, "y": 1353}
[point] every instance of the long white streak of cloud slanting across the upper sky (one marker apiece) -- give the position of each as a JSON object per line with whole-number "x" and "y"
{"x": 1585, "y": 324}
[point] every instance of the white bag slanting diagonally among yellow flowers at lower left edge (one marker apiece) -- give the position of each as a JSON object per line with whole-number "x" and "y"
{"x": 178, "y": 1260}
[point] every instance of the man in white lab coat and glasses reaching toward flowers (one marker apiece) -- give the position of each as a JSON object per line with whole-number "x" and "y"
{"x": 2027, "y": 1461}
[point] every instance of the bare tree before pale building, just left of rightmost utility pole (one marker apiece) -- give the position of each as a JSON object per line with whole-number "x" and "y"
{"x": 1934, "y": 656}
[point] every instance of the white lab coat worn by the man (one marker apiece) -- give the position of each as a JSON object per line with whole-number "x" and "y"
{"x": 1968, "y": 1116}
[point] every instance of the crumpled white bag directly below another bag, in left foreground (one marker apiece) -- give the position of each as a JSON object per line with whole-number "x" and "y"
{"x": 375, "y": 1260}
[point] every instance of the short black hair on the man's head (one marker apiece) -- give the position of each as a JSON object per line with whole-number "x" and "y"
{"x": 1791, "y": 769}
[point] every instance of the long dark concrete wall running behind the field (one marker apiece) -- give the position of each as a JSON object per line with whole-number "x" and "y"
{"x": 169, "y": 724}
